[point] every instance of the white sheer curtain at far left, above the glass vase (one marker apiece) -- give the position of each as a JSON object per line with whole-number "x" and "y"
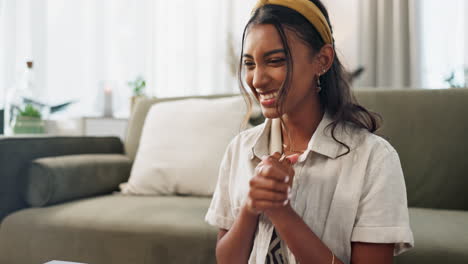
{"x": 75, "y": 46}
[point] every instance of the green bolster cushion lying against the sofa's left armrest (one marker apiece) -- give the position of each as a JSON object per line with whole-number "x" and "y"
{"x": 57, "y": 179}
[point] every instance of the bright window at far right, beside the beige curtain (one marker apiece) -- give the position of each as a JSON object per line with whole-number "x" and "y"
{"x": 444, "y": 42}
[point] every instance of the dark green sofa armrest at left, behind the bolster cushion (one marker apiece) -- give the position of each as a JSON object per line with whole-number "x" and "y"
{"x": 17, "y": 153}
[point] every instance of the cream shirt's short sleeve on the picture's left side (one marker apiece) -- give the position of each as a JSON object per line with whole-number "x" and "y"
{"x": 220, "y": 211}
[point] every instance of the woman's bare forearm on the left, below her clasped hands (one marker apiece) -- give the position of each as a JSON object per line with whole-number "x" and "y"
{"x": 234, "y": 245}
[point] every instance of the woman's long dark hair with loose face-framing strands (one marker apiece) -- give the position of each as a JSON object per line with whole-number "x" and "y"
{"x": 336, "y": 96}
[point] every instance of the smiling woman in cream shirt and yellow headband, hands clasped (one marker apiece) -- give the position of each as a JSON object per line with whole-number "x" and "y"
{"x": 313, "y": 184}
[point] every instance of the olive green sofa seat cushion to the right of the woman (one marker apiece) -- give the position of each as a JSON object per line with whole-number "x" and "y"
{"x": 441, "y": 236}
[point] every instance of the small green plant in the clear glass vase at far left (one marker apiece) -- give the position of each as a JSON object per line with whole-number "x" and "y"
{"x": 28, "y": 121}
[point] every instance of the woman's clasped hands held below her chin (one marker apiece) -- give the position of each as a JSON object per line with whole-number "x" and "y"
{"x": 270, "y": 187}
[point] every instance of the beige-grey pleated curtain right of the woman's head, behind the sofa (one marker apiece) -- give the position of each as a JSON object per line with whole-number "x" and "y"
{"x": 390, "y": 37}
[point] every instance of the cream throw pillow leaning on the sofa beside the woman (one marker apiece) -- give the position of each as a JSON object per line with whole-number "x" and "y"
{"x": 182, "y": 145}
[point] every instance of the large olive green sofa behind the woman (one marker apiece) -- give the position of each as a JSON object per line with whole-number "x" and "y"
{"x": 79, "y": 215}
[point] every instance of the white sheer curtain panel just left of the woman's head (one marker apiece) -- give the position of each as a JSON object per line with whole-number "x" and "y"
{"x": 191, "y": 48}
